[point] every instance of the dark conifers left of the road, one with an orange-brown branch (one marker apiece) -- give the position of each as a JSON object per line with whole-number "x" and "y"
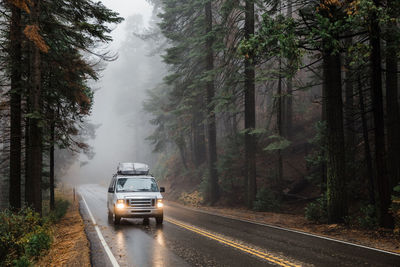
{"x": 50, "y": 51}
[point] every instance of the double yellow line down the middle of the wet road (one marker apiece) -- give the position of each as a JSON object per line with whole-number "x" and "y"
{"x": 258, "y": 253}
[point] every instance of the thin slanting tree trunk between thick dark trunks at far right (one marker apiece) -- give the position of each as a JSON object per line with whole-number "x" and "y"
{"x": 367, "y": 149}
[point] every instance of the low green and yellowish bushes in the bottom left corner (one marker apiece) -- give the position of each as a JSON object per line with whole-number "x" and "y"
{"x": 24, "y": 235}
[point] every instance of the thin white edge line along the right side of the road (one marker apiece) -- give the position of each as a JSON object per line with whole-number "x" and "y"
{"x": 289, "y": 230}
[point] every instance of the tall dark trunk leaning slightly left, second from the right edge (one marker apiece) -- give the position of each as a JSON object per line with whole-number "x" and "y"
{"x": 385, "y": 219}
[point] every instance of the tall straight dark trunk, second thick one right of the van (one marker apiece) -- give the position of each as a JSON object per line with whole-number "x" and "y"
{"x": 249, "y": 109}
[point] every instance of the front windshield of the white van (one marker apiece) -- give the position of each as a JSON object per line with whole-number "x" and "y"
{"x": 136, "y": 185}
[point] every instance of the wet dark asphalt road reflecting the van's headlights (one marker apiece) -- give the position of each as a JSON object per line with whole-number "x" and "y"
{"x": 193, "y": 238}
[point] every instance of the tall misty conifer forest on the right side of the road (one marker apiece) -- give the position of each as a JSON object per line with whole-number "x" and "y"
{"x": 270, "y": 101}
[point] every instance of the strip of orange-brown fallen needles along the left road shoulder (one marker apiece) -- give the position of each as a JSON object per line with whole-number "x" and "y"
{"x": 70, "y": 246}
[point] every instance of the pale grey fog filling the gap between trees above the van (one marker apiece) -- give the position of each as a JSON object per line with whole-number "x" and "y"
{"x": 118, "y": 98}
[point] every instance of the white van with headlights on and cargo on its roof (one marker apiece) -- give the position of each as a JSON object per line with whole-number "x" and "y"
{"x": 133, "y": 193}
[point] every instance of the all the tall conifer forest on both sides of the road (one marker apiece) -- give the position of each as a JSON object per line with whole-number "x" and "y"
{"x": 264, "y": 101}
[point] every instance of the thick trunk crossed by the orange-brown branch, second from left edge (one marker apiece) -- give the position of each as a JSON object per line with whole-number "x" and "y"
{"x": 35, "y": 130}
